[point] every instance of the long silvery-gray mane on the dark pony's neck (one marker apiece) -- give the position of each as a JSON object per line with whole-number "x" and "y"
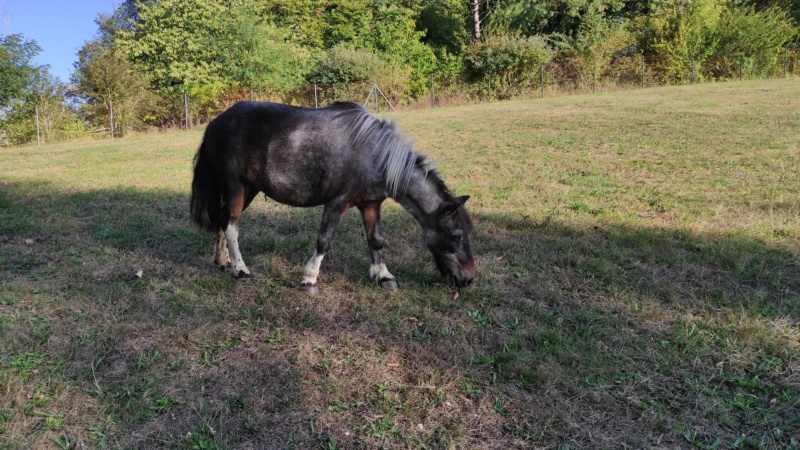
{"x": 393, "y": 151}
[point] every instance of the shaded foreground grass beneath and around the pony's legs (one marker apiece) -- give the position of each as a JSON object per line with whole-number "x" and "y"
{"x": 597, "y": 337}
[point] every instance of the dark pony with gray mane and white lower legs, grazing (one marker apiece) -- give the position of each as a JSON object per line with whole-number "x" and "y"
{"x": 340, "y": 157}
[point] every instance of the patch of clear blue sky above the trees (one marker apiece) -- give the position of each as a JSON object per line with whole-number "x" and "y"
{"x": 60, "y": 27}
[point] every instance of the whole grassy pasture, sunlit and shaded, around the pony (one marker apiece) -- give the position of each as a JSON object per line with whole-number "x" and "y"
{"x": 639, "y": 287}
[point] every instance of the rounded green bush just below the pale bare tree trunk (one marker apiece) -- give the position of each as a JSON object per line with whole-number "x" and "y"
{"x": 509, "y": 60}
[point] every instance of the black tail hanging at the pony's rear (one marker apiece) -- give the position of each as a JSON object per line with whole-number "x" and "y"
{"x": 206, "y": 202}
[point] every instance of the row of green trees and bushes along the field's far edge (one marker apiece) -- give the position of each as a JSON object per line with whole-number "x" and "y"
{"x": 147, "y": 53}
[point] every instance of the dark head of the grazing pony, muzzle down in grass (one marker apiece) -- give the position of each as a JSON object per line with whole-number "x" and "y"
{"x": 448, "y": 240}
